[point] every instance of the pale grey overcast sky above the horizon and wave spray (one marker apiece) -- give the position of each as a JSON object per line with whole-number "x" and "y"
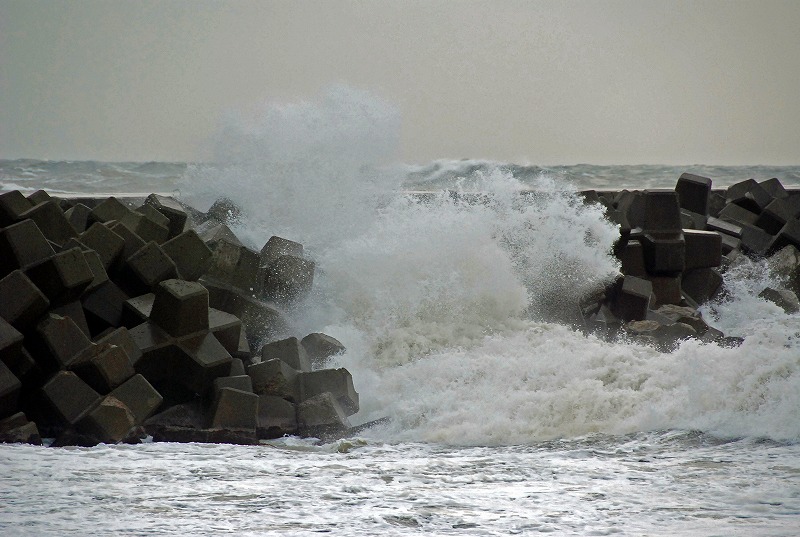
{"x": 532, "y": 82}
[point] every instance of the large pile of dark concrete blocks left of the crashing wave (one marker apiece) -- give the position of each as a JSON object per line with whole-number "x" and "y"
{"x": 74, "y": 271}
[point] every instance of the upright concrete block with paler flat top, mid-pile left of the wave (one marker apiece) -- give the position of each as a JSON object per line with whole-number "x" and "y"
{"x": 180, "y": 307}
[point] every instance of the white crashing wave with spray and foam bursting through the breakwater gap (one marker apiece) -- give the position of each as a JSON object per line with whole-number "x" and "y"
{"x": 450, "y": 304}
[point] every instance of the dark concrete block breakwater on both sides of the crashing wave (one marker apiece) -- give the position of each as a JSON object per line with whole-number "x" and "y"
{"x": 122, "y": 319}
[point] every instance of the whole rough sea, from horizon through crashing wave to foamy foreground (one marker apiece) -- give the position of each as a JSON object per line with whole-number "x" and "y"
{"x": 502, "y": 418}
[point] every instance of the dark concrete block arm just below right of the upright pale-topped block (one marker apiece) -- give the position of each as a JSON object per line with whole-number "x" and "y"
{"x": 201, "y": 359}
